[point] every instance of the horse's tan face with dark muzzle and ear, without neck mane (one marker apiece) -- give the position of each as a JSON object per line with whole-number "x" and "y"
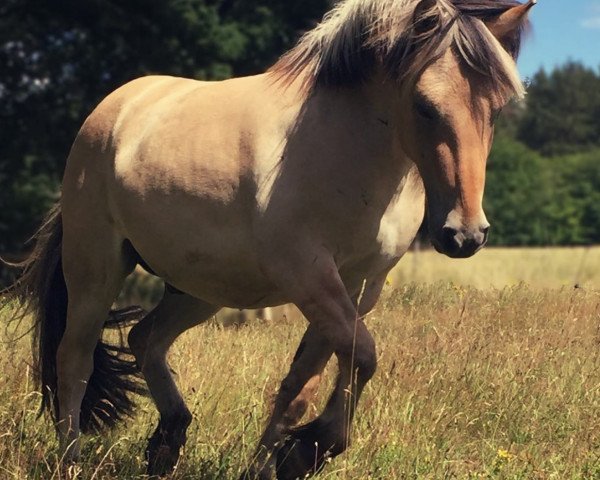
{"x": 452, "y": 109}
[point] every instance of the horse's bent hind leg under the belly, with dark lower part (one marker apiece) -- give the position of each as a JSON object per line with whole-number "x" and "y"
{"x": 150, "y": 340}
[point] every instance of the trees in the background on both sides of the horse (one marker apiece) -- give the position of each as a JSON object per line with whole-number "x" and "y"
{"x": 58, "y": 59}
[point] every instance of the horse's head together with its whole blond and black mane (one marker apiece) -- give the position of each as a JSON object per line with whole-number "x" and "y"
{"x": 454, "y": 61}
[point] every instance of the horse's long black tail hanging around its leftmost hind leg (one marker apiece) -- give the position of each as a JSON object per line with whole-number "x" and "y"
{"x": 41, "y": 292}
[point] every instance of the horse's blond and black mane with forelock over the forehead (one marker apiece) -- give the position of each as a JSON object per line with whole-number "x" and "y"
{"x": 403, "y": 37}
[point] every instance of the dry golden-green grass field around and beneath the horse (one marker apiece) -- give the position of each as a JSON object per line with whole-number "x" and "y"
{"x": 495, "y": 382}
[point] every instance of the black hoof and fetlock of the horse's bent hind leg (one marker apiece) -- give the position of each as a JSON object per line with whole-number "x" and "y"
{"x": 165, "y": 445}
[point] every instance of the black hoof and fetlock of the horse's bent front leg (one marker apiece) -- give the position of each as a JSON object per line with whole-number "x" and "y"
{"x": 306, "y": 451}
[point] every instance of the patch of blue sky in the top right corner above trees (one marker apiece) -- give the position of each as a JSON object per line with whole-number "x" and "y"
{"x": 562, "y": 30}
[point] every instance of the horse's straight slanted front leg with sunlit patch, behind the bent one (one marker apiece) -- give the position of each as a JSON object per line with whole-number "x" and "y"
{"x": 291, "y": 403}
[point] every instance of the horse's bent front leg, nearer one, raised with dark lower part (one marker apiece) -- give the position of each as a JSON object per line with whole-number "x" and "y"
{"x": 322, "y": 297}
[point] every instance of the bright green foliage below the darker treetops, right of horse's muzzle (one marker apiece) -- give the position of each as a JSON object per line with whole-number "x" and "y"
{"x": 535, "y": 200}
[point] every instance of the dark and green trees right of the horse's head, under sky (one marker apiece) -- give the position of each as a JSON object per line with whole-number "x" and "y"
{"x": 543, "y": 185}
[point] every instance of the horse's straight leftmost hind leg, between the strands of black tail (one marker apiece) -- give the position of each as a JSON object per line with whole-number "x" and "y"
{"x": 94, "y": 266}
